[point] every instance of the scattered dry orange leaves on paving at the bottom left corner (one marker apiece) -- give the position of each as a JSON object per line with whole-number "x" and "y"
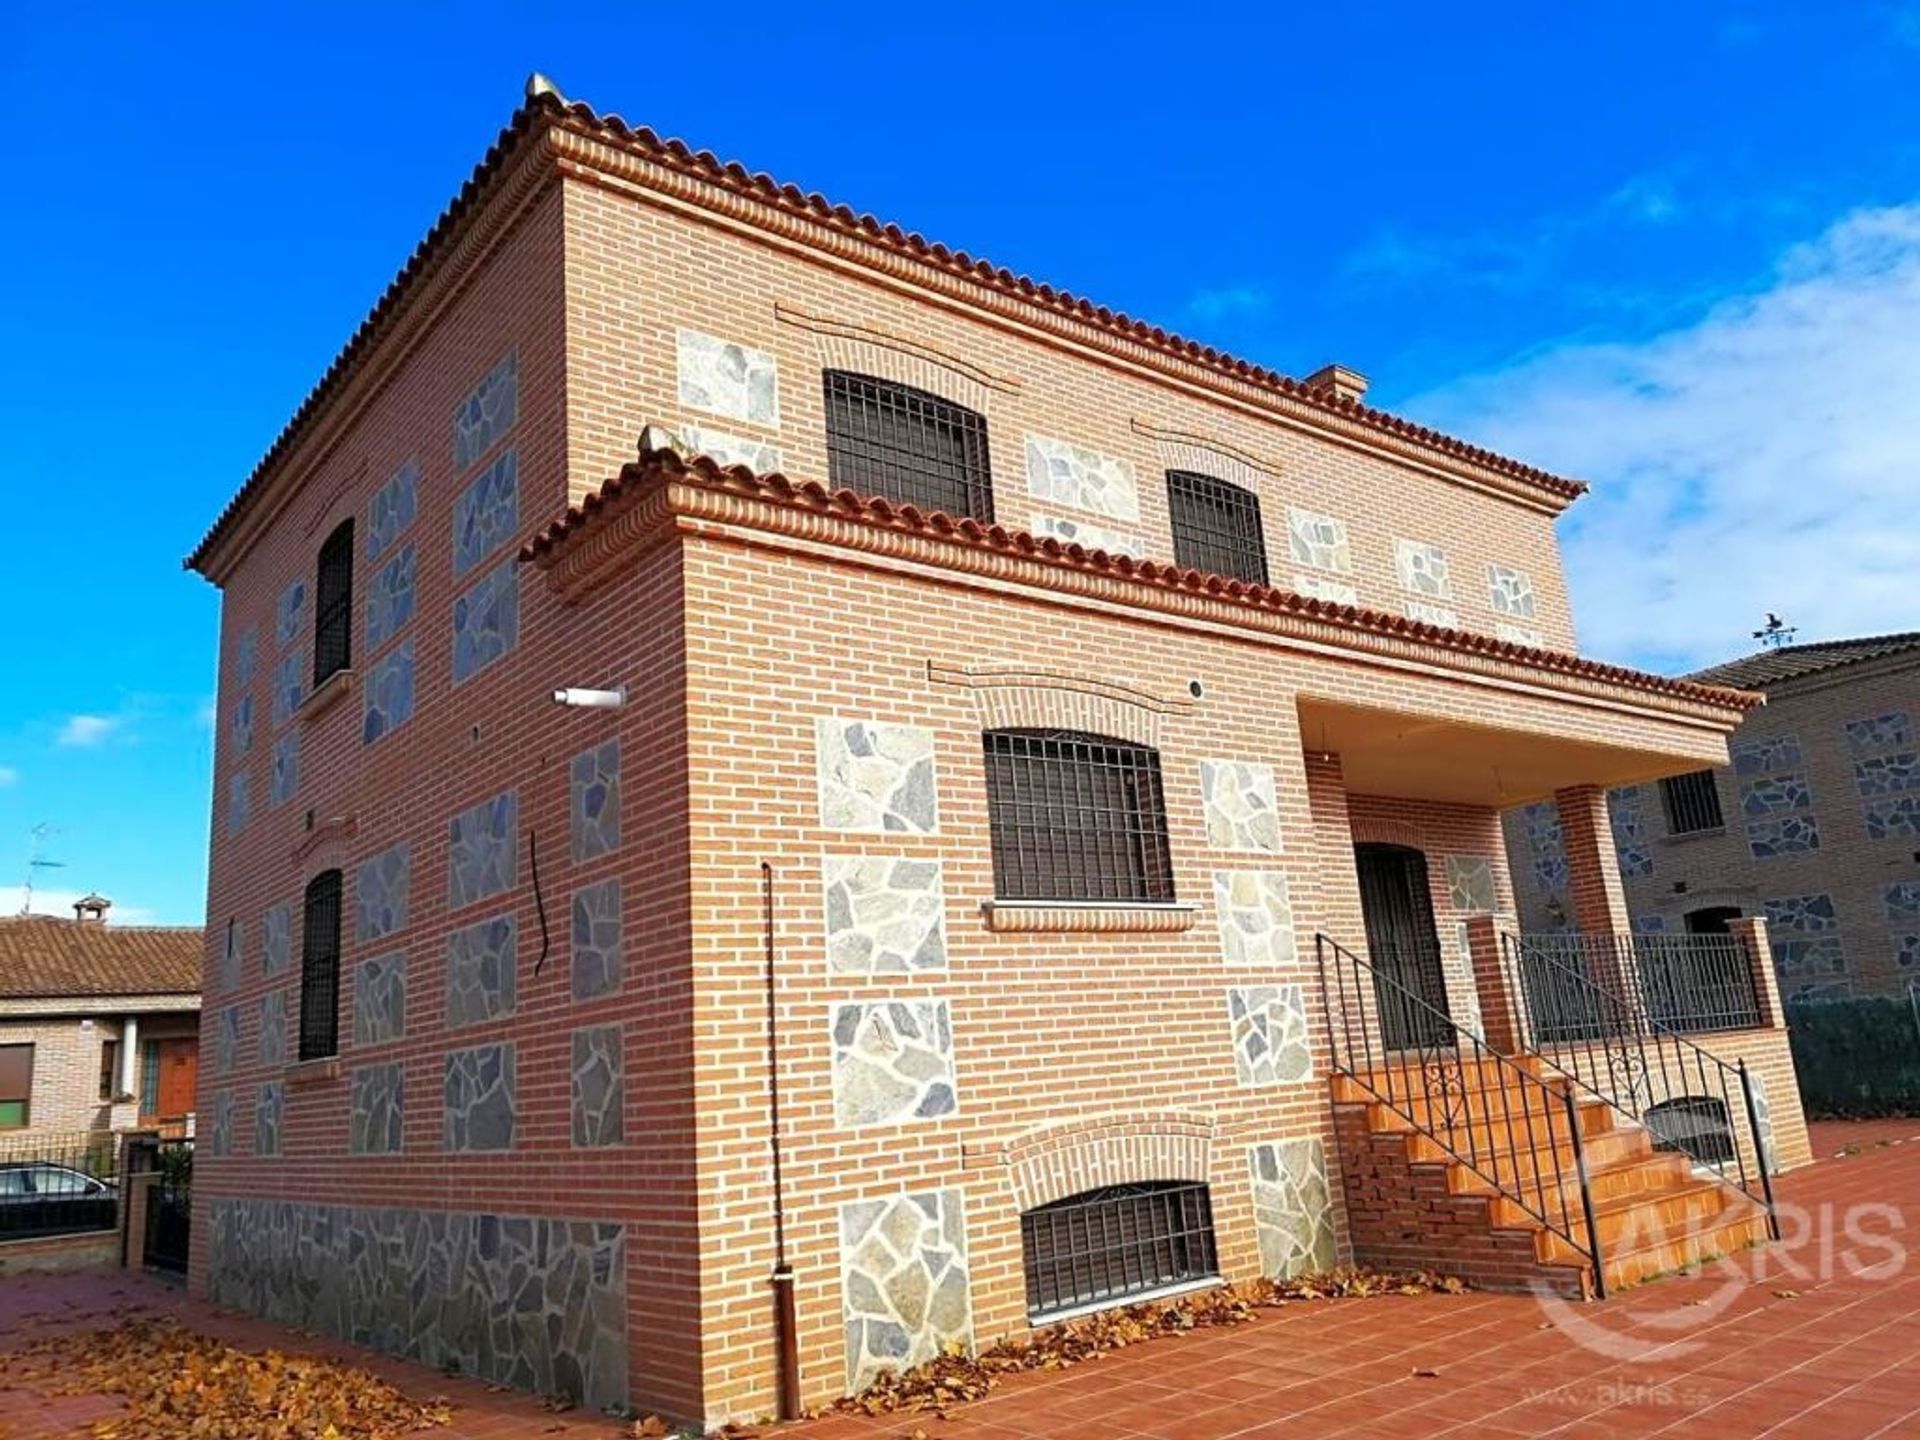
{"x": 180, "y": 1385}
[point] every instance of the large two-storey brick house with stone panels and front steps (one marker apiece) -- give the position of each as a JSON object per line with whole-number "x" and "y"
{"x": 988, "y": 725}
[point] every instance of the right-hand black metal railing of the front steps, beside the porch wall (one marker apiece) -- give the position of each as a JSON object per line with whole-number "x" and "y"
{"x": 1618, "y": 1049}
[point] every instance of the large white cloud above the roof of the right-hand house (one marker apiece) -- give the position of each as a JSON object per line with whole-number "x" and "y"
{"x": 1764, "y": 458}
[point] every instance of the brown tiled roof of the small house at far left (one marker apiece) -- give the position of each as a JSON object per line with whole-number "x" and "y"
{"x": 45, "y": 957}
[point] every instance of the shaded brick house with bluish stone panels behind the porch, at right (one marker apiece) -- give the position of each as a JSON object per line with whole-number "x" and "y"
{"x": 1815, "y": 825}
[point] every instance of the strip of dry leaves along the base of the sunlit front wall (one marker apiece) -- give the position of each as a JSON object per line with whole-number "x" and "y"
{"x": 955, "y": 1378}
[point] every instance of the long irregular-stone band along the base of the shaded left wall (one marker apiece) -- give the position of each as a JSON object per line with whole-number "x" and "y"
{"x": 539, "y": 1305}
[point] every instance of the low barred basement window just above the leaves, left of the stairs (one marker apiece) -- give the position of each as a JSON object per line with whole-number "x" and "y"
{"x": 1111, "y": 1245}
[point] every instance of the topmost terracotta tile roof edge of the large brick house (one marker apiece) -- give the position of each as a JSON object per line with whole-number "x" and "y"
{"x": 544, "y": 108}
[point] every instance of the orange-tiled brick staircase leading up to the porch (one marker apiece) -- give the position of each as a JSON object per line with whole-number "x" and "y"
{"x": 1470, "y": 1168}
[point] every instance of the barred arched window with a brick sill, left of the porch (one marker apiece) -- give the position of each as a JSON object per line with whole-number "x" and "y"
{"x": 1076, "y": 819}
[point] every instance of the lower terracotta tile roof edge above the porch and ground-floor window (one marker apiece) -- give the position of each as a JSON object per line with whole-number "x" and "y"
{"x": 613, "y": 496}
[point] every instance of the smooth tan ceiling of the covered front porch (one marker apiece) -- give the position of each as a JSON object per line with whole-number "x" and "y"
{"x": 1429, "y": 759}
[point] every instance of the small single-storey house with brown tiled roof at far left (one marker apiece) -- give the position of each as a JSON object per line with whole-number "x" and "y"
{"x": 99, "y": 1024}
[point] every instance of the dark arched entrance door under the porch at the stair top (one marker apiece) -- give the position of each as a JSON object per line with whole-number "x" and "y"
{"x": 1404, "y": 946}
